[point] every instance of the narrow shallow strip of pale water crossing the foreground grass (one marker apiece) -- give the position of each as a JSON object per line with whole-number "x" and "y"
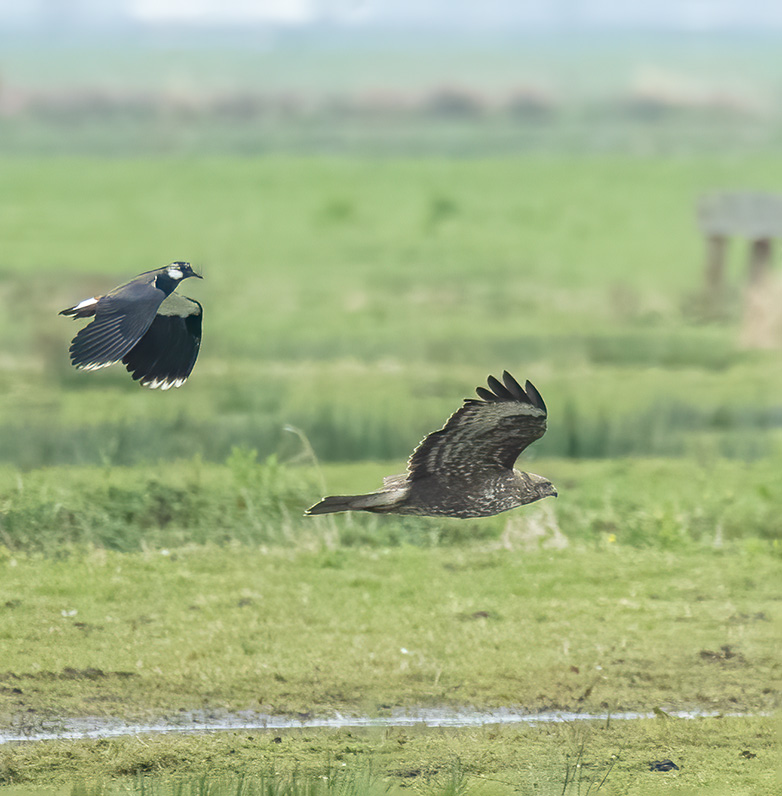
{"x": 93, "y": 727}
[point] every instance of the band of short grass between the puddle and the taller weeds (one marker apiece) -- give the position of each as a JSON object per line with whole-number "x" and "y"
{"x": 286, "y": 631}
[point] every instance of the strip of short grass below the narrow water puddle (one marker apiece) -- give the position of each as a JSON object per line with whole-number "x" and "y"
{"x": 565, "y": 760}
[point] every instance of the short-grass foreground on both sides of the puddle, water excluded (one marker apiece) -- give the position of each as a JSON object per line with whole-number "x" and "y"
{"x": 297, "y": 633}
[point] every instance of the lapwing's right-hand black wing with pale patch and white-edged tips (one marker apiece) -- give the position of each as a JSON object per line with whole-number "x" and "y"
{"x": 166, "y": 354}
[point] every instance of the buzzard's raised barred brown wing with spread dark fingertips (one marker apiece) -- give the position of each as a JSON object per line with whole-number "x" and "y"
{"x": 489, "y": 433}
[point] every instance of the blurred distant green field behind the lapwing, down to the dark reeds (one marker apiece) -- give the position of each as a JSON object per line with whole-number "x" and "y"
{"x": 360, "y": 301}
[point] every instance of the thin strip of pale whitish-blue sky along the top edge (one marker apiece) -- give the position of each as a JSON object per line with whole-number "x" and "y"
{"x": 691, "y": 15}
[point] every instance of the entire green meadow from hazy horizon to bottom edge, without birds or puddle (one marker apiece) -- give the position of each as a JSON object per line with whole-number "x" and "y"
{"x": 153, "y": 554}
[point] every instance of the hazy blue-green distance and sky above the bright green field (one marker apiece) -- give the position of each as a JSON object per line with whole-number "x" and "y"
{"x": 377, "y": 76}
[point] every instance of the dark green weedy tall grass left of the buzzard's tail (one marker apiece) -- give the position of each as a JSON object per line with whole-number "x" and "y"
{"x": 245, "y": 500}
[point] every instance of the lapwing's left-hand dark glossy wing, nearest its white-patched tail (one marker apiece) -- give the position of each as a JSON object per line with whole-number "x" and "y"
{"x": 121, "y": 319}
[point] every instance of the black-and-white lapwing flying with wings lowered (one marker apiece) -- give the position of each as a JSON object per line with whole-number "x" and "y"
{"x": 153, "y": 331}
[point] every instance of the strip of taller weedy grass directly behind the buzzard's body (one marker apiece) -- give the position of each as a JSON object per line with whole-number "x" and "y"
{"x": 659, "y": 503}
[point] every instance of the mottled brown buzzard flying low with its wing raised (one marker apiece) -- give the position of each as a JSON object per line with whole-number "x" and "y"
{"x": 466, "y": 468}
